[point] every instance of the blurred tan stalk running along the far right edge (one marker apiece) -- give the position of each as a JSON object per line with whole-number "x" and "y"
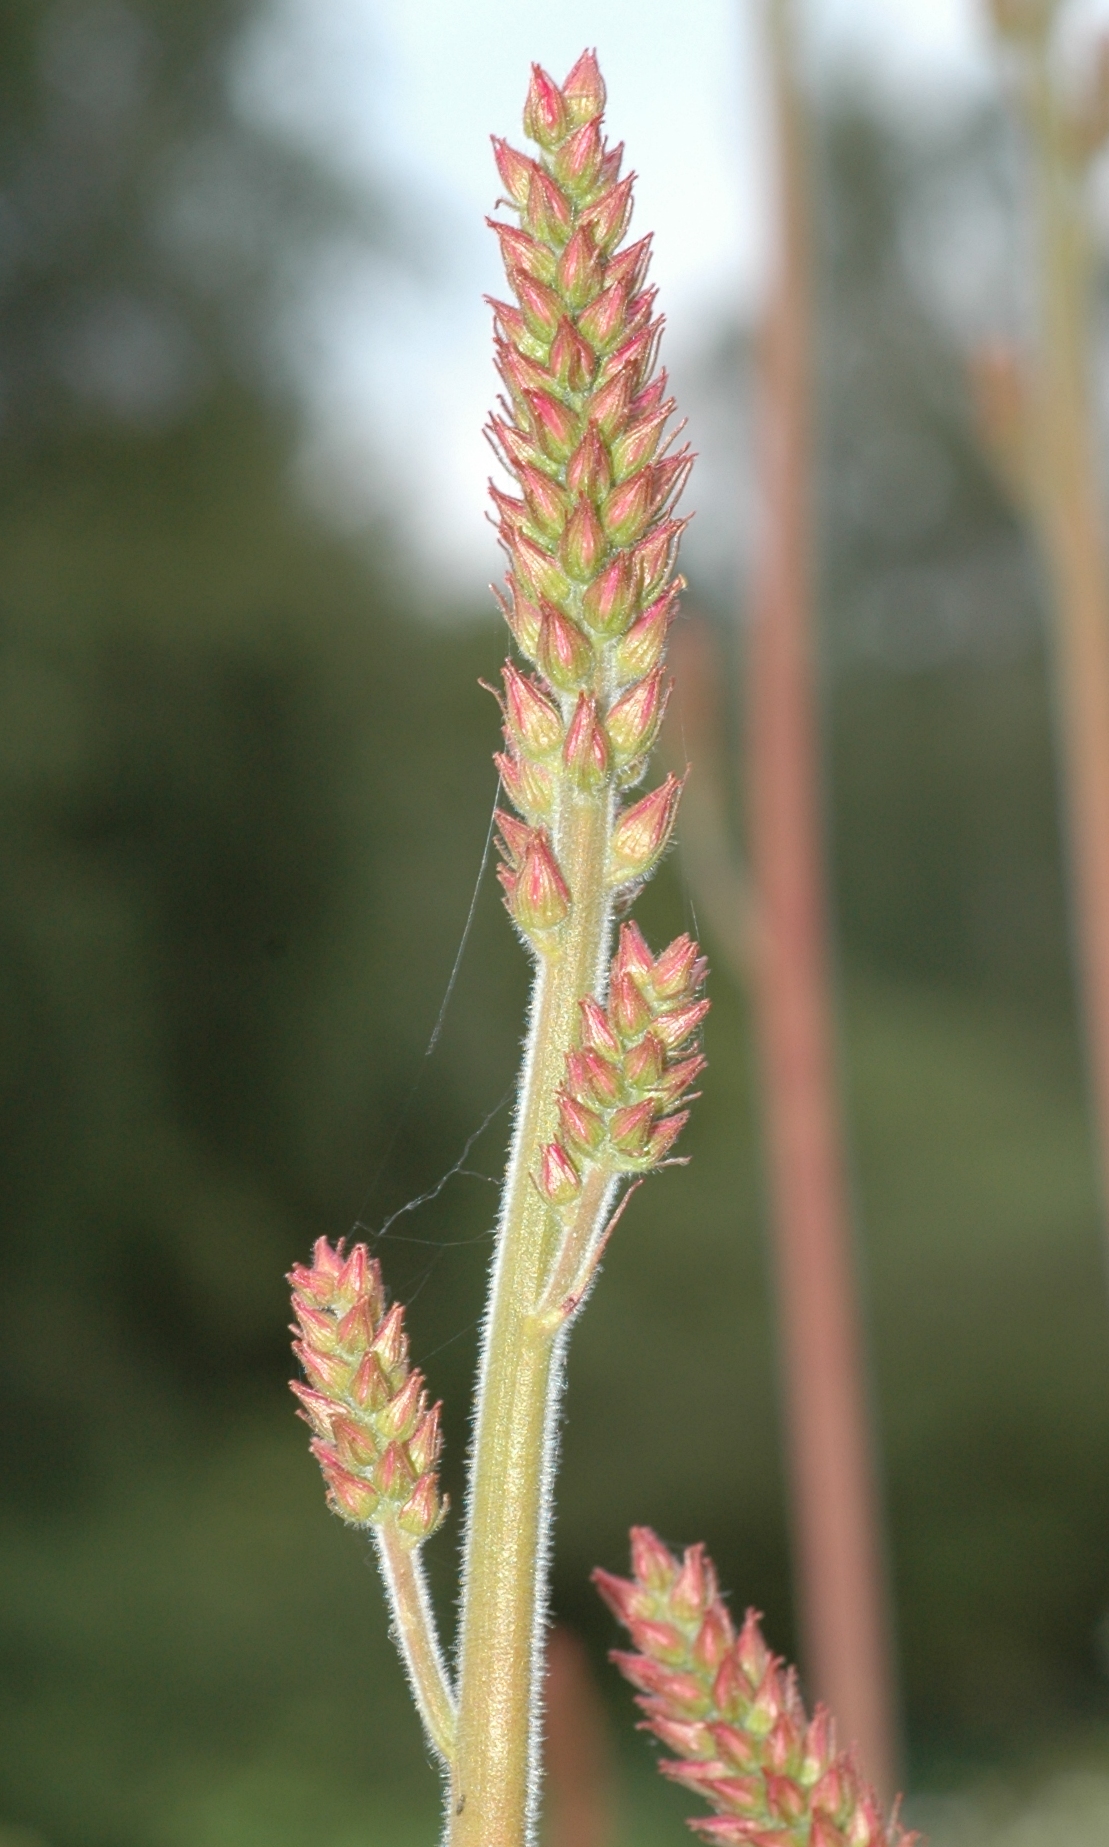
{"x": 1079, "y": 562}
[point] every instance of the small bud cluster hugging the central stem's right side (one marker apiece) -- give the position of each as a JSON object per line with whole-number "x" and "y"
{"x": 631, "y": 1068}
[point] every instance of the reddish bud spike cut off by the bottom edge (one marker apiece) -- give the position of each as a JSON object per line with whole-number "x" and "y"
{"x": 733, "y": 1719}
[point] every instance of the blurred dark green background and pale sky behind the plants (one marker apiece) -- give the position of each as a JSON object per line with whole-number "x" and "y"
{"x": 245, "y": 795}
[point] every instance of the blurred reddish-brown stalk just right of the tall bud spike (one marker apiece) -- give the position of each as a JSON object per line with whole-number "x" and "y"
{"x": 840, "y": 1556}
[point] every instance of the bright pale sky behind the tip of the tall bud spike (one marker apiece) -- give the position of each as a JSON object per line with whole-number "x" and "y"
{"x": 398, "y": 370}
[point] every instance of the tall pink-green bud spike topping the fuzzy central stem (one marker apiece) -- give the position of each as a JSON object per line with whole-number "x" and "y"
{"x": 589, "y": 531}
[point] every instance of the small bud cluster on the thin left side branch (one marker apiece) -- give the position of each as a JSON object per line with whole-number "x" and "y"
{"x": 374, "y": 1436}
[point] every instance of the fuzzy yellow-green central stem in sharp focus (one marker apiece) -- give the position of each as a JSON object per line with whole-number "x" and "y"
{"x": 494, "y": 1783}
